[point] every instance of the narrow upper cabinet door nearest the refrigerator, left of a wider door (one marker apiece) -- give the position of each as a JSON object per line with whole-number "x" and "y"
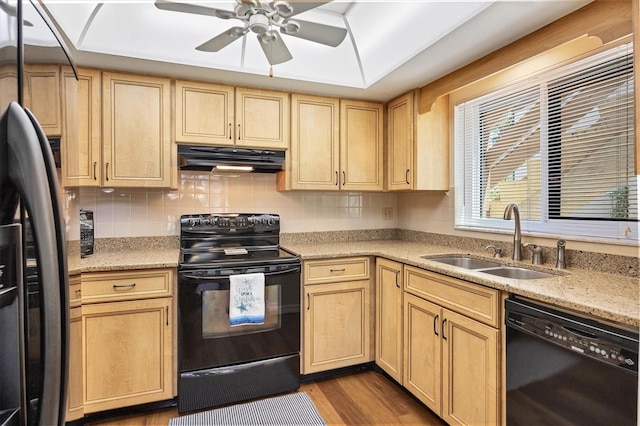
{"x": 81, "y": 142}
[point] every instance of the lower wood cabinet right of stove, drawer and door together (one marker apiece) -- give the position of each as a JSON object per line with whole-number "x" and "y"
{"x": 337, "y": 321}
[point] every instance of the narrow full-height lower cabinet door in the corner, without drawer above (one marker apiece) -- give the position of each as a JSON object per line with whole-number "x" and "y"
{"x": 389, "y": 317}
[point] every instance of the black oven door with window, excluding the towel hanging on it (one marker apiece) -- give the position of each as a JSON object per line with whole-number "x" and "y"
{"x": 206, "y": 337}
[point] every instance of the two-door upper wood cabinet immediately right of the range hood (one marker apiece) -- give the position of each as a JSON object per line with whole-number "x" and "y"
{"x": 335, "y": 145}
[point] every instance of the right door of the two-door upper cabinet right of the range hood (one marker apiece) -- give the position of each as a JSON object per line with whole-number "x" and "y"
{"x": 361, "y": 139}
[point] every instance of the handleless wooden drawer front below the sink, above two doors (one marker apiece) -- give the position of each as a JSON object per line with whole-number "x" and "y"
{"x": 469, "y": 299}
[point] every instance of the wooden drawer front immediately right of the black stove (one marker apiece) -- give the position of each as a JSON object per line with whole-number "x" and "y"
{"x": 336, "y": 270}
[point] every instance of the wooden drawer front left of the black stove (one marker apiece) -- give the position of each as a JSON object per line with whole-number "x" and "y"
{"x": 126, "y": 285}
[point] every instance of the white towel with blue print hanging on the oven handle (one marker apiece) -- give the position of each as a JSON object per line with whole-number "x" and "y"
{"x": 246, "y": 299}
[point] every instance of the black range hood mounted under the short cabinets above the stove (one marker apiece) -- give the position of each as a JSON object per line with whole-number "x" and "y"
{"x": 229, "y": 159}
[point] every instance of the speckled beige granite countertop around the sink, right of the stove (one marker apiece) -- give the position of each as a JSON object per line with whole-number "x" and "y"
{"x": 607, "y": 296}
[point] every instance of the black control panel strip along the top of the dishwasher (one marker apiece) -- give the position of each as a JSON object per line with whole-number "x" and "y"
{"x": 587, "y": 342}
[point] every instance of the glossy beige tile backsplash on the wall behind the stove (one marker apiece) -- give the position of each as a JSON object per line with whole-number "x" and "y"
{"x": 155, "y": 212}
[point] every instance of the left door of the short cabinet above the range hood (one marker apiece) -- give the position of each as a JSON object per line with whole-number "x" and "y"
{"x": 204, "y": 113}
